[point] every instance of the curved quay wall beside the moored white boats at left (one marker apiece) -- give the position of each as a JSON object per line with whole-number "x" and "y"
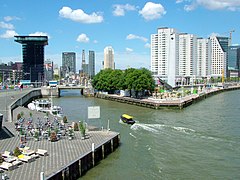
{"x": 34, "y": 94}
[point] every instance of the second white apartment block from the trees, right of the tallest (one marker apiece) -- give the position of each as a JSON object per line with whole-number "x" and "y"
{"x": 187, "y": 55}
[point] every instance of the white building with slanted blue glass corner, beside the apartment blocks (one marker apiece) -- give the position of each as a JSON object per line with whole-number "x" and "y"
{"x": 219, "y": 56}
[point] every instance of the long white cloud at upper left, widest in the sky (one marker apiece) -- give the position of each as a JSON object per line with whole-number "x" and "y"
{"x": 80, "y": 16}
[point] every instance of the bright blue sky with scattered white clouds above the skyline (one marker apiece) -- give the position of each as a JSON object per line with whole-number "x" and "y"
{"x": 126, "y": 25}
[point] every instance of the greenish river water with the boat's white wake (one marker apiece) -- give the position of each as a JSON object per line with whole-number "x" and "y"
{"x": 201, "y": 141}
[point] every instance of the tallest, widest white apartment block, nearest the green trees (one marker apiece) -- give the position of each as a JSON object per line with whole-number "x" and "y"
{"x": 164, "y": 53}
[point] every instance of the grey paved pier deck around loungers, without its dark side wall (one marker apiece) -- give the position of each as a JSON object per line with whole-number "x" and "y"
{"x": 60, "y": 154}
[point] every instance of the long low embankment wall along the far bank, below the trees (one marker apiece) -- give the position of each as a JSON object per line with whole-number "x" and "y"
{"x": 178, "y": 103}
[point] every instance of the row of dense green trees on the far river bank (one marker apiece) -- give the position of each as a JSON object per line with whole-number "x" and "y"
{"x": 137, "y": 80}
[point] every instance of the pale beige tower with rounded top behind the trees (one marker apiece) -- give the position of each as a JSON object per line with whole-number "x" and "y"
{"x": 108, "y": 58}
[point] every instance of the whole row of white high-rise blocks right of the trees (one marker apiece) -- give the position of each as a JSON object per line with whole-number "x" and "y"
{"x": 177, "y": 56}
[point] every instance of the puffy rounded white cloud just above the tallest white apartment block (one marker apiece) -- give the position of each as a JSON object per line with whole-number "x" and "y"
{"x": 152, "y": 11}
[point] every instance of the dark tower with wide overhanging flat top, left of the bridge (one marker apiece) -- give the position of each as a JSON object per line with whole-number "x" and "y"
{"x": 33, "y": 56}
